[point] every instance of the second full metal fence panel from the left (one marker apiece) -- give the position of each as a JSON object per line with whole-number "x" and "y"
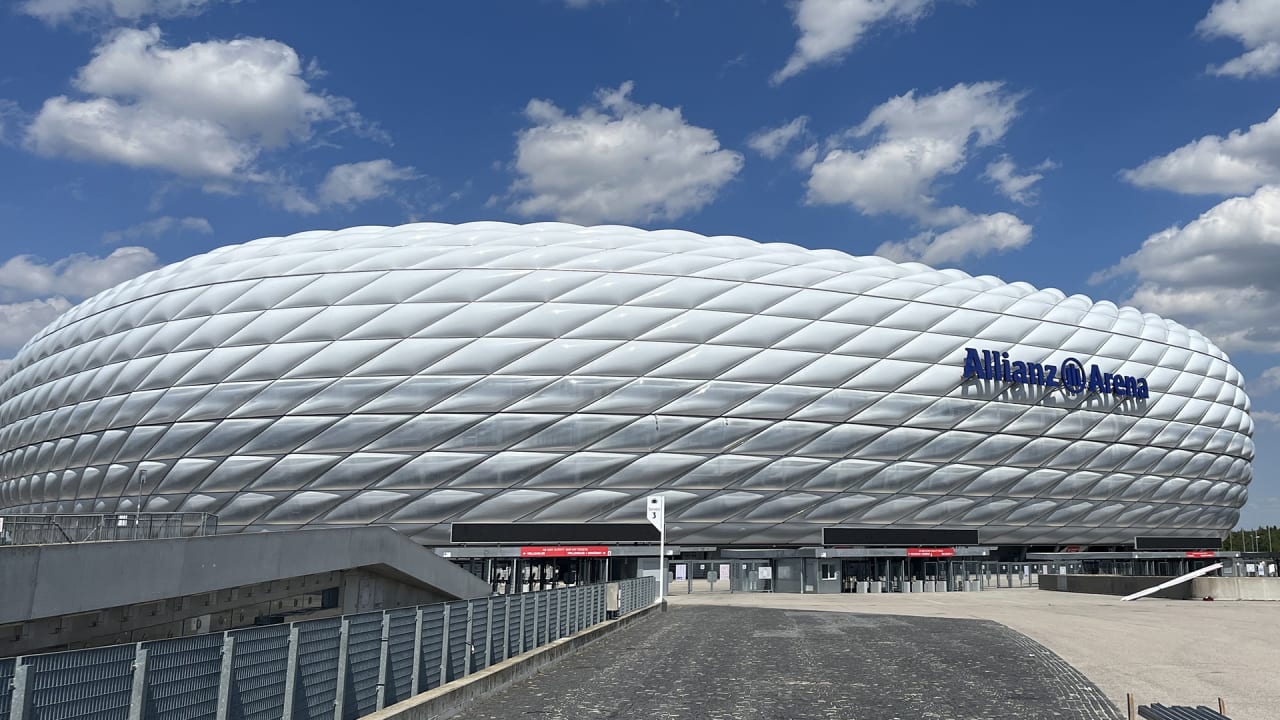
{"x": 182, "y": 678}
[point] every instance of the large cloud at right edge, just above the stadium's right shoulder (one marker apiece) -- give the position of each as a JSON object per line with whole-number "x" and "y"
{"x": 1219, "y": 274}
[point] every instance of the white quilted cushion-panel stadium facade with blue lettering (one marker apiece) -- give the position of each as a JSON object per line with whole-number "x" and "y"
{"x": 428, "y": 375}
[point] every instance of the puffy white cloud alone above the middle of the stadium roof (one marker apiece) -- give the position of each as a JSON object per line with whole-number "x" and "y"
{"x": 618, "y": 162}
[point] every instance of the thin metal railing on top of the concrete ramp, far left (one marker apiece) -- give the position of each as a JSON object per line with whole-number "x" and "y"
{"x": 56, "y": 530}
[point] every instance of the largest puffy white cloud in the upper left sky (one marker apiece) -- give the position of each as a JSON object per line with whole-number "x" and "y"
{"x": 207, "y": 111}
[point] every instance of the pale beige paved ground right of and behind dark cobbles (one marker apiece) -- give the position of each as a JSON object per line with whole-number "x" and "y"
{"x": 1171, "y": 651}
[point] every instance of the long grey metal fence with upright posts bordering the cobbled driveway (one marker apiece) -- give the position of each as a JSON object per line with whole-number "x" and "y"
{"x": 339, "y": 668}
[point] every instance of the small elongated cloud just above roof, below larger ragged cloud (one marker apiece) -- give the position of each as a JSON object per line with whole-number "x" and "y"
{"x": 977, "y": 236}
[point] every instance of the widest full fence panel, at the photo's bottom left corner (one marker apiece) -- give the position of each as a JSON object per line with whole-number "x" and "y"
{"x": 86, "y": 683}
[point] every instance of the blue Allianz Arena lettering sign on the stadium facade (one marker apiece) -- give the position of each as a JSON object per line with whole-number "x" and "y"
{"x": 1069, "y": 376}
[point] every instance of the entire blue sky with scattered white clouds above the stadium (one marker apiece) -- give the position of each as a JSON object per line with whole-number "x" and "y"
{"x": 1121, "y": 151}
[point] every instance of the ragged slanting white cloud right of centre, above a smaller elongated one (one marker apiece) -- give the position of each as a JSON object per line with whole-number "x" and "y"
{"x": 921, "y": 139}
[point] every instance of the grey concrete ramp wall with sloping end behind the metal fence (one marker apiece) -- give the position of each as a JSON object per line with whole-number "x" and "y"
{"x": 56, "y": 596}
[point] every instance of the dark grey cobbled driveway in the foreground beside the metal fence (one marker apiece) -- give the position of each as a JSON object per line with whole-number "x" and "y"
{"x": 707, "y": 660}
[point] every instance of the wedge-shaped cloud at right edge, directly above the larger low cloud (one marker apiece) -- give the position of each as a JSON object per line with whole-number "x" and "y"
{"x": 1238, "y": 163}
